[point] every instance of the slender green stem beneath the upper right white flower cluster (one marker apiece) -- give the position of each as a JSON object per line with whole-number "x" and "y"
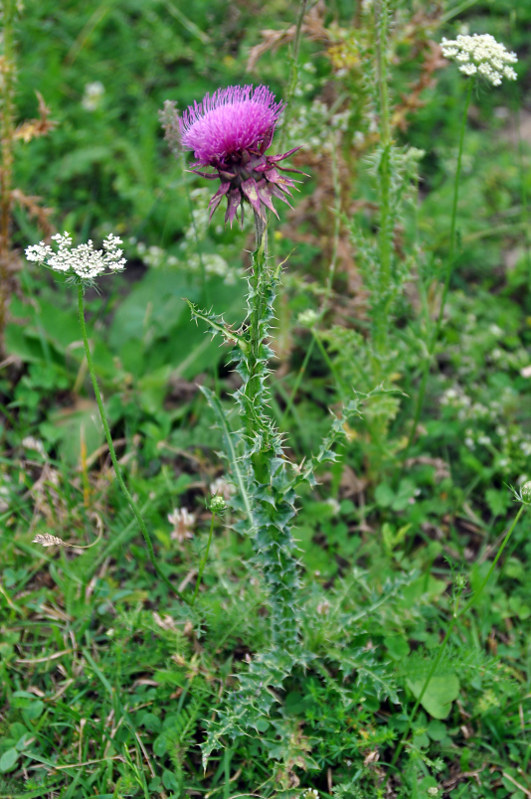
{"x": 449, "y": 269}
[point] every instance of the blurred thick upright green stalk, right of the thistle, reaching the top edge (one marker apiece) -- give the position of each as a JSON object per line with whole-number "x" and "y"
{"x": 381, "y": 309}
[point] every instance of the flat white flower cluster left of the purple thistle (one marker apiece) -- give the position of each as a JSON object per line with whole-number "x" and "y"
{"x": 83, "y": 260}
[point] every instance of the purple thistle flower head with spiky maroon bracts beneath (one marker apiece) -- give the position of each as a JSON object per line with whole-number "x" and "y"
{"x": 230, "y": 131}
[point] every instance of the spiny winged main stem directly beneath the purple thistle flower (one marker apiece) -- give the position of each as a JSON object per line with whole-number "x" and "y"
{"x": 270, "y": 482}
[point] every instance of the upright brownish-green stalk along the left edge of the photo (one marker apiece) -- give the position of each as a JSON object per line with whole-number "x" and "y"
{"x": 7, "y": 132}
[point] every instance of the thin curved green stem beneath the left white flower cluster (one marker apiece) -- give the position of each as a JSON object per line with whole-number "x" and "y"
{"x": 117, "y": 469}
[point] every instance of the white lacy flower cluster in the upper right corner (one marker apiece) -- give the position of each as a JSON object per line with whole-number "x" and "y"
{"x": 481, "y": 54}
